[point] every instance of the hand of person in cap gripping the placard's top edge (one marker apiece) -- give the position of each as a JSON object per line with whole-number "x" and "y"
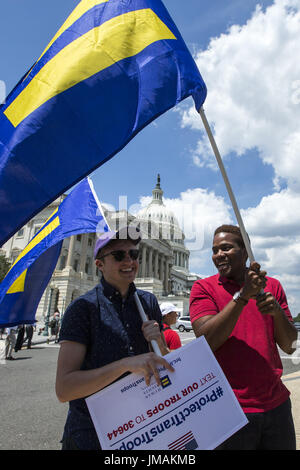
{"x": 147, "y": 365}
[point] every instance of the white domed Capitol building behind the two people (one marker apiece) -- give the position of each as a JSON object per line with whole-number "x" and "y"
{"x": 163, "y": 262}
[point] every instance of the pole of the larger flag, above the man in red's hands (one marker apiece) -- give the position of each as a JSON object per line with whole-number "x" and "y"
{"x": 228, "y": 185}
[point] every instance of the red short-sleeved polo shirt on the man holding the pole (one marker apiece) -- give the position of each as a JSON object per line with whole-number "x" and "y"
{"x": 249, "y": 358}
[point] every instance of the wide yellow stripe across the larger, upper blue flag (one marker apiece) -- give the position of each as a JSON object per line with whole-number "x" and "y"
{"x": 116, "y": 39}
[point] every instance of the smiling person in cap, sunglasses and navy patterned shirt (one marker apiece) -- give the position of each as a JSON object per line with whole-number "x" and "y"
{"x": 103, "y": 338}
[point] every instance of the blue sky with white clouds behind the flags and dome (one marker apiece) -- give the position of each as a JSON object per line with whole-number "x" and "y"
{"x": 246, "y": 55}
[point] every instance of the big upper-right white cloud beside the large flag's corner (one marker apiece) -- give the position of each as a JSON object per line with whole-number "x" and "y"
{"x": 253, "y": 79}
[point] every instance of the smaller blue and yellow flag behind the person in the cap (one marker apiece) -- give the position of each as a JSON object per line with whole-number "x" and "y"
{"x": 24, "y": 284}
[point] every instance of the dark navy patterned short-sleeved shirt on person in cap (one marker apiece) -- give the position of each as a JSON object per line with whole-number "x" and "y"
{"x": 110, "y": 328}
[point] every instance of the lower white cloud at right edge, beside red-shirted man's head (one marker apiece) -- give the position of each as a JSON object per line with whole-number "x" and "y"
{"x": 274, "y": 230}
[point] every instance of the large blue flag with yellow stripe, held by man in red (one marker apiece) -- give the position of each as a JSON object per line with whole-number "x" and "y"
{"x": 112, "y": 68}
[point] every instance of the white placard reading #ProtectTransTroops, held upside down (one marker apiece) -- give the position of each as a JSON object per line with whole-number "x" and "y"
{"x": 193, "y": 408}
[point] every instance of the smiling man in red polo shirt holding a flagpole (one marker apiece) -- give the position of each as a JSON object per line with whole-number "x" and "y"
{"x": 243, "y": 328}
